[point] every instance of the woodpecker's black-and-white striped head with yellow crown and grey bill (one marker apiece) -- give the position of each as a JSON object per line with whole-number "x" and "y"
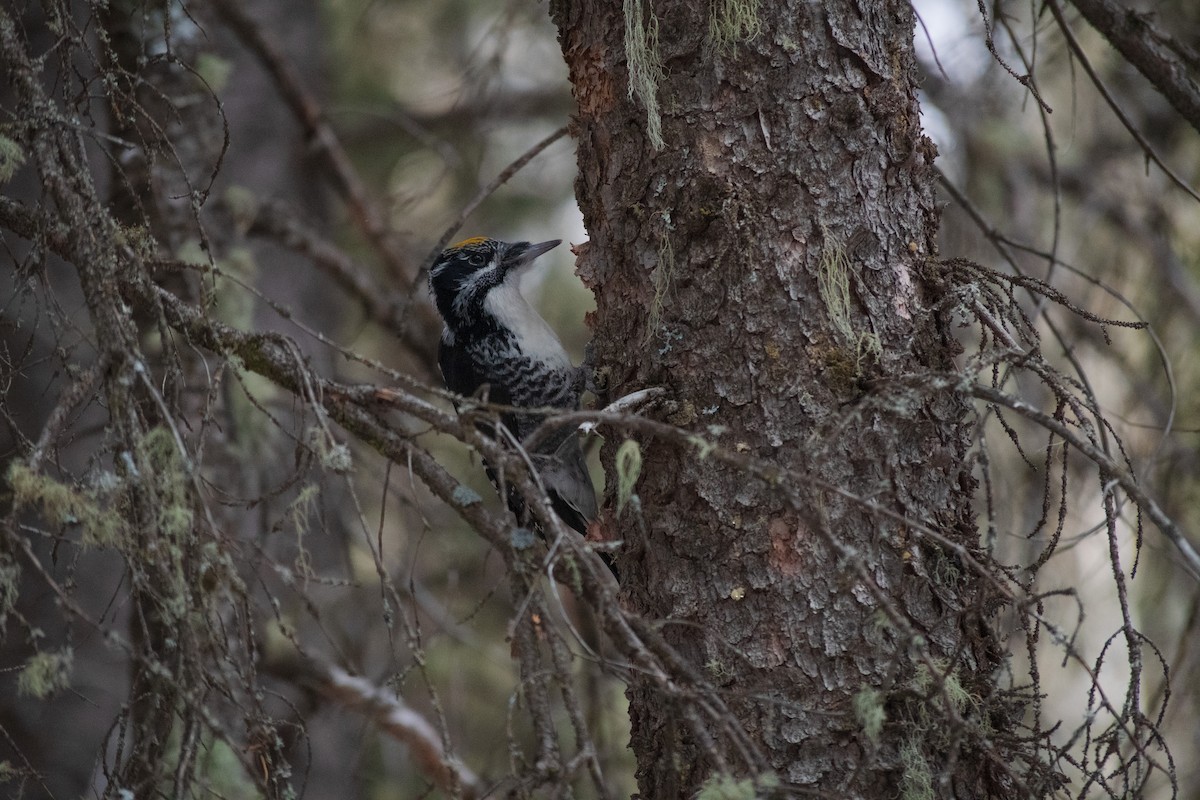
{"x": 466, "y": 272}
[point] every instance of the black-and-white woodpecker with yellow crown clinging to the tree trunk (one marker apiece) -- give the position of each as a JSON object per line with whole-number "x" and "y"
{"x": 495, "y": 339}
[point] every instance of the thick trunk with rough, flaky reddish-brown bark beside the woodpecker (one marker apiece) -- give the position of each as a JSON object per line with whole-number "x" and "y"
{"x": 771, "y": 256}
